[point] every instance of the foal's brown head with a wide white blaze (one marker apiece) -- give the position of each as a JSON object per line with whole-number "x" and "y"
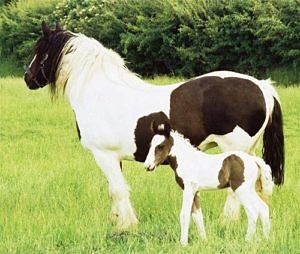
{"x": 160, "y": 146}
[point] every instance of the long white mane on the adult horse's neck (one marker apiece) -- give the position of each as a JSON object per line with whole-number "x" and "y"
{"x": 85, "y": 58}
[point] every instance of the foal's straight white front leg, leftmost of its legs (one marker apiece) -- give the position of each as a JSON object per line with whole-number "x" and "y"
{"x": 185, "y": 214}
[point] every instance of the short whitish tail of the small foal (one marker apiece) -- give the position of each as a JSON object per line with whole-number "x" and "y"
{"x": 265, "y": 178}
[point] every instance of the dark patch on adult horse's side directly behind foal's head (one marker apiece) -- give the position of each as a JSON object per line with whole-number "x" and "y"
{"x": 144, "y": 133}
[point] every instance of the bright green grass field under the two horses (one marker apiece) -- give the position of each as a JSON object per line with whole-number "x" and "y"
{"x": 54, "y": 199}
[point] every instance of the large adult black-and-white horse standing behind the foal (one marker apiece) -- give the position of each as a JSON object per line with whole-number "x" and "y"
{"x": 114, "y": 108}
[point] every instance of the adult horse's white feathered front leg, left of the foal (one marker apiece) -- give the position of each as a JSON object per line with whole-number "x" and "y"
{"x": 122, "y": 212}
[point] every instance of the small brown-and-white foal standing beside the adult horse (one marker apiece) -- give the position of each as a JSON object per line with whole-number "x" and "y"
{"x": 195, "y": 171}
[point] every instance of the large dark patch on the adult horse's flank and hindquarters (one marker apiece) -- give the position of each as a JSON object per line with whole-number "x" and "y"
{"x": 213, "y": 105}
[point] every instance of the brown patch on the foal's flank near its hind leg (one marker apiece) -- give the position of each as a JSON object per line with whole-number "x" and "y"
{"x": 231, "y": 173}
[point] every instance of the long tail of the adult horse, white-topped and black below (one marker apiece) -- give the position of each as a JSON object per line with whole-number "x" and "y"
{"x": 273, "y": 139}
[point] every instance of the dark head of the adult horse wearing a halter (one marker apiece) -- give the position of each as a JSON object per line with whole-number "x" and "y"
{"x": 41, "y": 71}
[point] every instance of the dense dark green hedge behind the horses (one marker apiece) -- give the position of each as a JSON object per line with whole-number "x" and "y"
{"x": 181, "y": 37}
